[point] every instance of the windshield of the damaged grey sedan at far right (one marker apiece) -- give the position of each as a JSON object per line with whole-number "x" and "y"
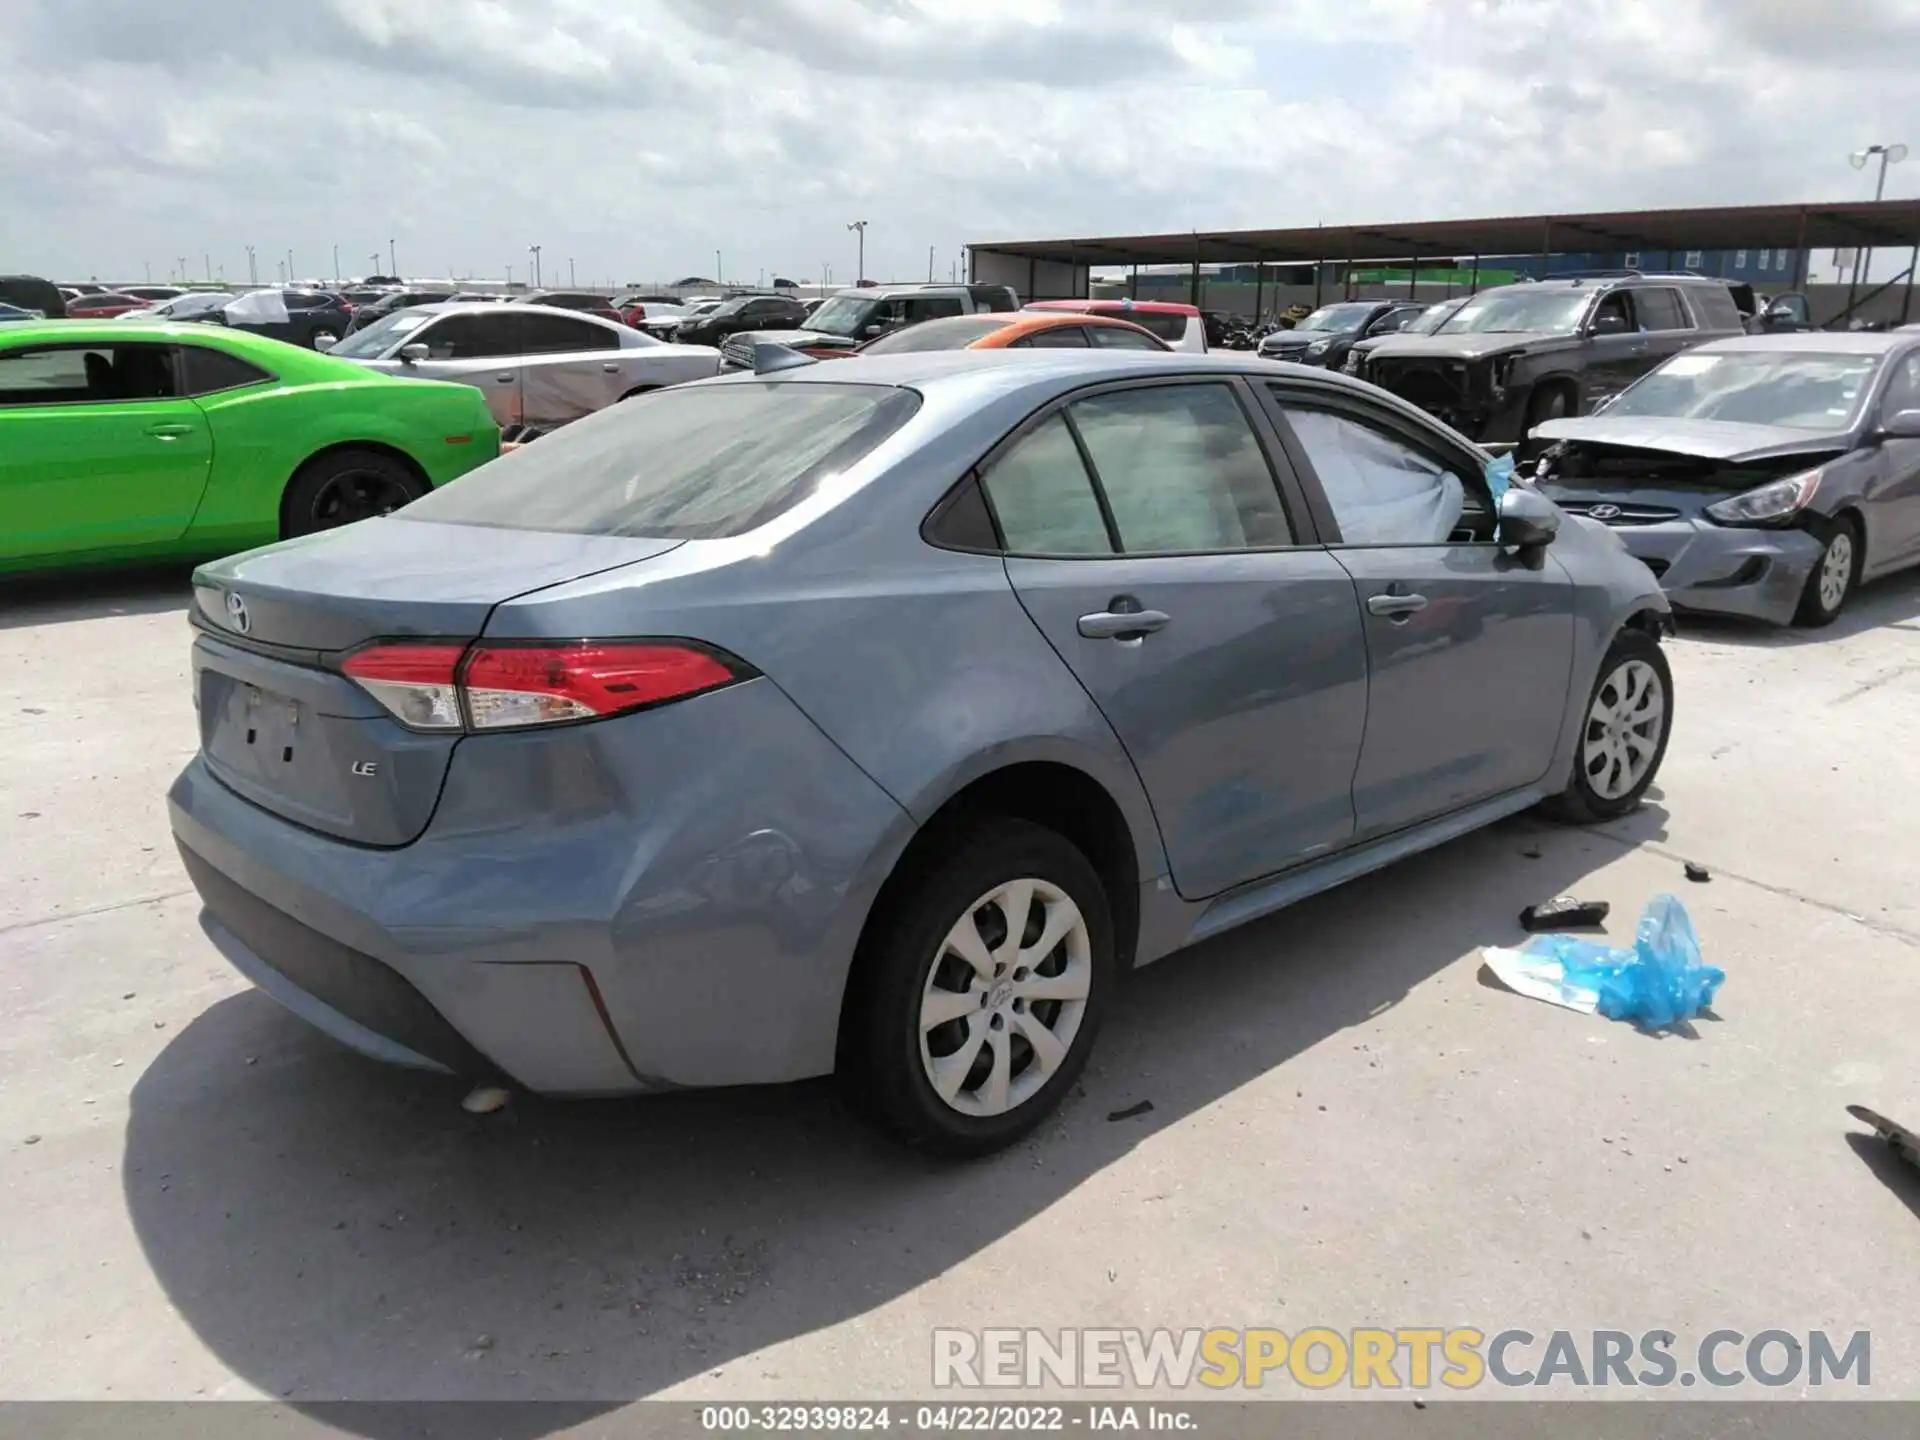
{"x": 1754, "y": 387}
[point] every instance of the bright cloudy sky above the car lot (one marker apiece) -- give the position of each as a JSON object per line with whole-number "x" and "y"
{"x": 638, "y": 137}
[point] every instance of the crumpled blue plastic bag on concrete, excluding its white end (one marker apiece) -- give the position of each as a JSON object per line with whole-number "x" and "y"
{"x": 1658, "y": 984}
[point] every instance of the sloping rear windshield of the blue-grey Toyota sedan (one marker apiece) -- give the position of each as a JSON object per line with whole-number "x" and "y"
{"x": 698, "y": 464}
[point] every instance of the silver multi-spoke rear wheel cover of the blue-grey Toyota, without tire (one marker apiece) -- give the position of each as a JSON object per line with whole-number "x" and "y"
{"x": 1005, "y": 997}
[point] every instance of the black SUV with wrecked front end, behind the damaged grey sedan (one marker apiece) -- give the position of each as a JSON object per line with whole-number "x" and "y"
{"x": 1541, "y": 350}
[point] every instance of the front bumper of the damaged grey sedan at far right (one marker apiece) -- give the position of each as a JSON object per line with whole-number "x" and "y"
{"x": 1723, "y": 569}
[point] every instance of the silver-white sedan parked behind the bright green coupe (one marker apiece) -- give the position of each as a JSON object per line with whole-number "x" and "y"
{"x": 535, "y": 366}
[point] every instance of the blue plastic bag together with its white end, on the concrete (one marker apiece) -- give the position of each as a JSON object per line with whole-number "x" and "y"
{"x": 1654, "y": 986}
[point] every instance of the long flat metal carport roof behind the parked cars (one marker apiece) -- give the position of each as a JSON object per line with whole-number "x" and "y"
{"x": 1729, "y": 228}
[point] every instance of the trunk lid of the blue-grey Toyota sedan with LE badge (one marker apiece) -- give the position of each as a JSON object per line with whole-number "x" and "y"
{"x": 287, "y": 731}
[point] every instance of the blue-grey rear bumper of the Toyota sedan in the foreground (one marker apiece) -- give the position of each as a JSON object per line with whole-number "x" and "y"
{"x": 596, "y": 911}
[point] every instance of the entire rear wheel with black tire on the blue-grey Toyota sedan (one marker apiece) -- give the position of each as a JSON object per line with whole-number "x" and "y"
{"x": 1003, "y": 1088}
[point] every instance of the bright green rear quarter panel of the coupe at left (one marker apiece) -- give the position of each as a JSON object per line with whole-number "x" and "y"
{"x": 262, "y": 439}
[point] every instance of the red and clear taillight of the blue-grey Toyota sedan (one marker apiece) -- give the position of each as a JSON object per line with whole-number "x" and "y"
{"x": 439, "y": 686}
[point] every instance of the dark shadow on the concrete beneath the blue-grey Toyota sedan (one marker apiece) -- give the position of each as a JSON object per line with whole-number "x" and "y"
{"x": 335, "y": 1230}
